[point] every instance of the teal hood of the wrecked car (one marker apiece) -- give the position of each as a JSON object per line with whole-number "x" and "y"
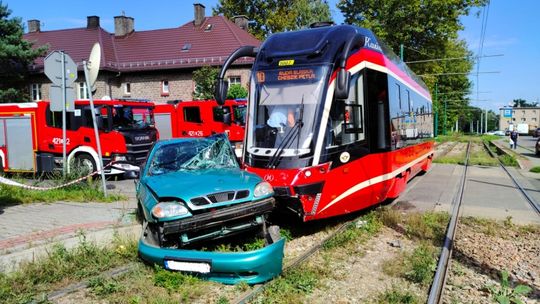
{"x": 189, "y": 184}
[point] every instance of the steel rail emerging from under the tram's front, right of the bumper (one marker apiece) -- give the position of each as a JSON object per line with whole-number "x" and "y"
{"x": 250, "y": 295}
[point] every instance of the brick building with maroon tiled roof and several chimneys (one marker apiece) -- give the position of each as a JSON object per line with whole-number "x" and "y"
{"x": 155, "y": 64}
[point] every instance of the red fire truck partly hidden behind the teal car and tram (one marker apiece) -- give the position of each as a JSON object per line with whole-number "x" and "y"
{"x": 202, "y": 118}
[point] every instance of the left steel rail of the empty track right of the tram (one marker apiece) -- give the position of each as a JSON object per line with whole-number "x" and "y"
{"x": 436, "y": 291}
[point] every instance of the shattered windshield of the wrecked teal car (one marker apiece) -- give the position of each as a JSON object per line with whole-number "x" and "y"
{"x": 195, "y": 154}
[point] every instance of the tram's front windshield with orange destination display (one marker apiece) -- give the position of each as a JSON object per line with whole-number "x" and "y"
{"x": 285, "y": 109}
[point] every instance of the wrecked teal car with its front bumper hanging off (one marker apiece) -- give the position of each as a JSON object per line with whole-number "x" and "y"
{"x": 192, "y": 190}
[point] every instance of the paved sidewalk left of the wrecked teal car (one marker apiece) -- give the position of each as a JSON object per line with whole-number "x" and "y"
{"x": 27, "y": 230}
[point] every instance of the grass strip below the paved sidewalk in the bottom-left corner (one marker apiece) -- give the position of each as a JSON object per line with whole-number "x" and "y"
{"x": 33, "y": 280}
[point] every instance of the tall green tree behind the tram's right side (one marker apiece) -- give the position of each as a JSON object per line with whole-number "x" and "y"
{"x": 428, "y": 30}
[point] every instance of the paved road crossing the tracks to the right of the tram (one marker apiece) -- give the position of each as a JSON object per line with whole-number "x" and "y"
{"x": 489, "y": 192}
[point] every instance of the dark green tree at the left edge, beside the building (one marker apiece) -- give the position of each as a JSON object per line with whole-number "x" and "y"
{"x": 16, "y": 54}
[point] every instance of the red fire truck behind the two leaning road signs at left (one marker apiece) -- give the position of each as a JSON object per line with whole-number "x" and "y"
{"x": 31, "y": 136}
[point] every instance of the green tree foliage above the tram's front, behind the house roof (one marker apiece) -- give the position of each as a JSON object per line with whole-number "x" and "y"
{"x": 273, "y": 16}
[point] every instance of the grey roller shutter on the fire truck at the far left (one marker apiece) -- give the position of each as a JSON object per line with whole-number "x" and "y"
{"x": 14, "y": 133}
